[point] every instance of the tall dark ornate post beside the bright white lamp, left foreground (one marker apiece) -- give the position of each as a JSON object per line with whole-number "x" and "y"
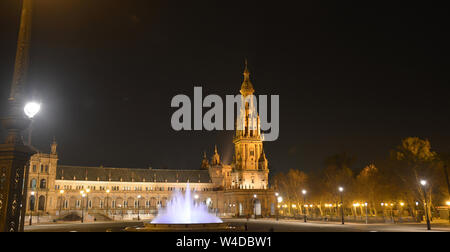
{"x": 14, "y": 155}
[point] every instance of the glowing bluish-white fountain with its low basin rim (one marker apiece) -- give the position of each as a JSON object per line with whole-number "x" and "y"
{"x": 182, "y": 213}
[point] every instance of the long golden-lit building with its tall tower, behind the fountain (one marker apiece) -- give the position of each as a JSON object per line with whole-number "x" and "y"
{"x": 236, "y": 189}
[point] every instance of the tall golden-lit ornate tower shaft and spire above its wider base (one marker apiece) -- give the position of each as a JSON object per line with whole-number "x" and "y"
{"x": 250, "y": 163}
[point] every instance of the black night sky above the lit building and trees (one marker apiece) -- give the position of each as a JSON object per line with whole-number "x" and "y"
{"x": 351, "y": 77}
